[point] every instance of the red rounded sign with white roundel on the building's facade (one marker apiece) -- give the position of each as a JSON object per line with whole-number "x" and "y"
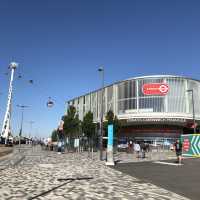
{"x": 155, "y": 89}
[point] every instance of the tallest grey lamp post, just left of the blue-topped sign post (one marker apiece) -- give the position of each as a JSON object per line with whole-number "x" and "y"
{"x": 101, "y": 71}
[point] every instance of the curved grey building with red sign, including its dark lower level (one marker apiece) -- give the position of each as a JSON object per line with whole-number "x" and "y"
{"x": 153, "y": 108}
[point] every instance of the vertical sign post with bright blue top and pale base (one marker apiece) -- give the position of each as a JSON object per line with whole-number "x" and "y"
{"x": 110, "y": 157}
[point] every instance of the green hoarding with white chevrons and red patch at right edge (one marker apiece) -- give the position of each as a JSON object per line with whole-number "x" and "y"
{"x": 191, "y": 145}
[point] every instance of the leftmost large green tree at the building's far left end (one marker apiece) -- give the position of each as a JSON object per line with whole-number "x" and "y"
{"x": 71, "y": 126}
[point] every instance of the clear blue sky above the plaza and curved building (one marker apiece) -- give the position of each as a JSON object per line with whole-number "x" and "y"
{"x": 60, "y": 44}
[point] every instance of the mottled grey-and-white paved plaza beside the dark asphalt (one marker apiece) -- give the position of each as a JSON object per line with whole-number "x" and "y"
{"x": 37, "y": 172}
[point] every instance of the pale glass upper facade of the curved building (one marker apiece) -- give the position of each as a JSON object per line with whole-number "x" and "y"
{"x": 127, "y": 99}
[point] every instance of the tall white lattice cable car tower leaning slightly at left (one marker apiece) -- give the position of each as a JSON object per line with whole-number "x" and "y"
{"x": 6, "y": 128}
